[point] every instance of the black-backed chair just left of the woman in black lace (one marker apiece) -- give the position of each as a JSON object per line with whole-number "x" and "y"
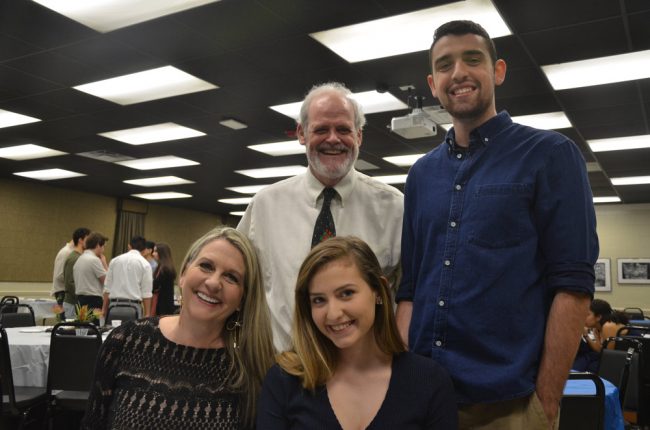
{"x": 71, "y": 367}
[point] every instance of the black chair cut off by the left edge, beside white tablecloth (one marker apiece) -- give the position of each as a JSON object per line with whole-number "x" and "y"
{"x": 17, "y": 402}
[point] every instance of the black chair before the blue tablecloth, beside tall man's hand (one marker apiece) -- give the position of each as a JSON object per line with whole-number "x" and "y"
{"x": 583, "y": 411}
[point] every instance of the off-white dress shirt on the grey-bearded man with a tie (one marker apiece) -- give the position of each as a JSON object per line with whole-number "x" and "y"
{"x": 280, "y": 222}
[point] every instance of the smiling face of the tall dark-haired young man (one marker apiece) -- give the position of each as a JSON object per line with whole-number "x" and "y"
{"x": 464, "y": 78}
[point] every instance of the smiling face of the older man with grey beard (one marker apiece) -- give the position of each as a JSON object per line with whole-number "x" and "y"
{"x": 331, "y": 138}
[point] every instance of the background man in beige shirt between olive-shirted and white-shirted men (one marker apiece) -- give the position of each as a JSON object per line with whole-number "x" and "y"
{"x": 90, "y": 272}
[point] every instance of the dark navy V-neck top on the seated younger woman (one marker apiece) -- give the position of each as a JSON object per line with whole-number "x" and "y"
{"x": 420, "y": 396}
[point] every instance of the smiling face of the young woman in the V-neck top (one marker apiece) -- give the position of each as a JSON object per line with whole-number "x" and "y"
{"x": 343, "y": 305}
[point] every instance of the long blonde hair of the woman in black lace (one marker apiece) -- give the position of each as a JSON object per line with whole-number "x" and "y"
{"x": 252, "y": 356}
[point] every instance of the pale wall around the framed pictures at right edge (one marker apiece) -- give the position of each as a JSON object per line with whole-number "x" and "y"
{"x": 624, "y": 232}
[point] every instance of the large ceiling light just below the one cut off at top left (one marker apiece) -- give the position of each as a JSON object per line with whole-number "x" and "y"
{"x": 148, "y": 85}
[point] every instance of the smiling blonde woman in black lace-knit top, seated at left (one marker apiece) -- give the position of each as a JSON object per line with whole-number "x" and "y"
{"x": 200, "y": 369}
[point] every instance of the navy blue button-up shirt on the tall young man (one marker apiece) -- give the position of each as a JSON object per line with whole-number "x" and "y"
{"x": 490, "y": 234}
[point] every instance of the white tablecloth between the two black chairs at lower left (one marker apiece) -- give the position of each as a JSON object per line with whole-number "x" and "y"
{"x": 30, "y": 354}
